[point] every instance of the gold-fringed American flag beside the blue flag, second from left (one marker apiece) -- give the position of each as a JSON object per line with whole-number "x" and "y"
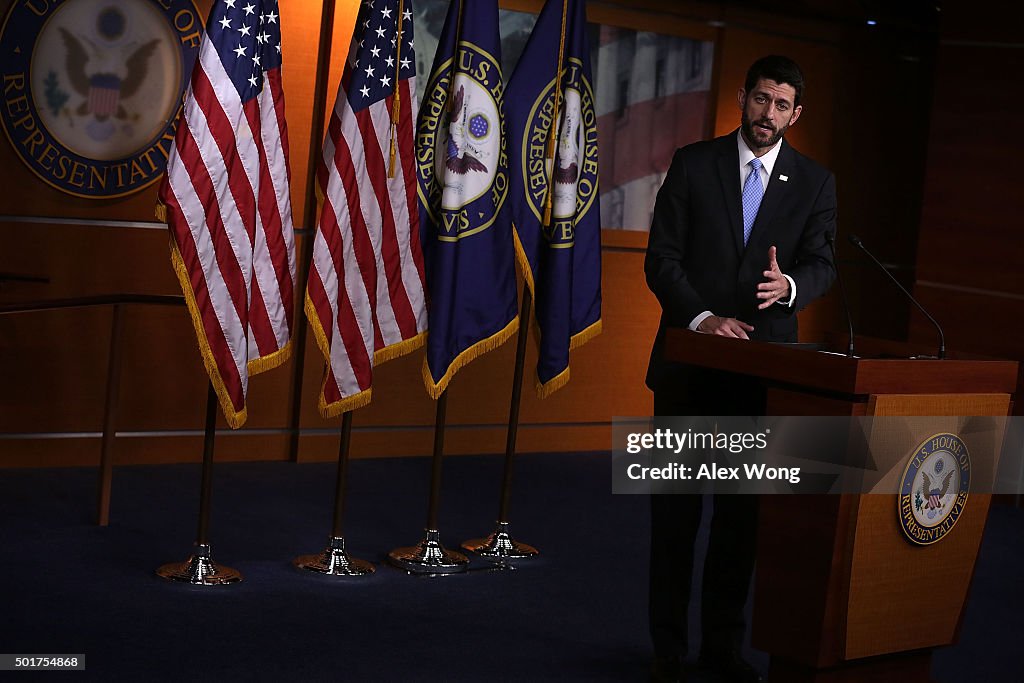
{"x": 365, "y": 297}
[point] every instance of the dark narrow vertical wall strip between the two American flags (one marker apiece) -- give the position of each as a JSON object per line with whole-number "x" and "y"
{"x": 310, "y": 218}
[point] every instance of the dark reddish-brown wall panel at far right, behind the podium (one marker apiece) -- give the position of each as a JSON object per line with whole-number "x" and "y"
{"x": 971, "y": 246}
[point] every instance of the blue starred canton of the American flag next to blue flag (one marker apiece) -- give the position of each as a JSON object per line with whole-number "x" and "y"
{"x": 378, "y": 62}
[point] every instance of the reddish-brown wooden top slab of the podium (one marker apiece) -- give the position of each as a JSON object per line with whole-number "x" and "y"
{"x": 806, "y": 366}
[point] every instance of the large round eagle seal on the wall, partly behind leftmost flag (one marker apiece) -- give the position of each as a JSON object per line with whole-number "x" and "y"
{"x": 93, "y": 90}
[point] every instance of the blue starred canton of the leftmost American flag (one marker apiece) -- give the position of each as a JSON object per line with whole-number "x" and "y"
{"x": 247, "y": 50}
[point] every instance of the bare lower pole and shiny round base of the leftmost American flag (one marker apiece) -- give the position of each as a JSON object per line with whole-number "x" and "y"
{"x": 200, "y": 570}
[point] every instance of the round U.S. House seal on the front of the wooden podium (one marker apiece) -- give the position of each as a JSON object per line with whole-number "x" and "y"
{"x": 934, "y": 489}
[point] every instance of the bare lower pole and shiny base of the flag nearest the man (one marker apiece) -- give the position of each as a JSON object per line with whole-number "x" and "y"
{"x": 500, "y": 545}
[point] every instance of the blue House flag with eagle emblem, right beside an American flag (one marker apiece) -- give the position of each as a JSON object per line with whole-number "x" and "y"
{"x": 462, "y": 166}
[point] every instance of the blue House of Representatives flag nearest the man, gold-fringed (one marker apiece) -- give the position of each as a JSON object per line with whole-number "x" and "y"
{"x": 556, "y": 209}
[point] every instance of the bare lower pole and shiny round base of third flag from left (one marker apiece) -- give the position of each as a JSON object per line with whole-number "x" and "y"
{"x": 430, "y": 557}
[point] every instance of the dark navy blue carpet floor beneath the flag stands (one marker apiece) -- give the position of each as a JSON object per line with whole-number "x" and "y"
{"x": 578, "y": 613}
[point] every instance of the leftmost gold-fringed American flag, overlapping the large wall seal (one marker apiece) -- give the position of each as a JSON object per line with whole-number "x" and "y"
{"x": 226, "y": 200}
